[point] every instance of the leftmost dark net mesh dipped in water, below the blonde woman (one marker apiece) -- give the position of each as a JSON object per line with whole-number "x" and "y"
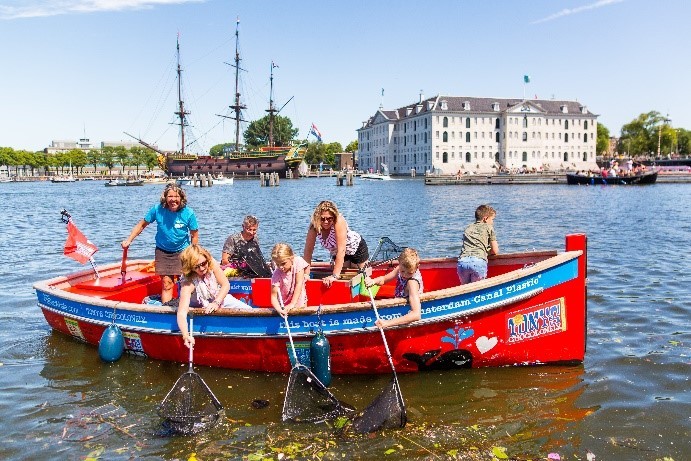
{"x": 190, "y": 407}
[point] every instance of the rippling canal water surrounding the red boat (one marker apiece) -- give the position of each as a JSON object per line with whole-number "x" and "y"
{"x": 629, "y": 400}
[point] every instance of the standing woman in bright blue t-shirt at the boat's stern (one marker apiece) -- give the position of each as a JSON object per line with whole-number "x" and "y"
{"x": 176, "y": 228}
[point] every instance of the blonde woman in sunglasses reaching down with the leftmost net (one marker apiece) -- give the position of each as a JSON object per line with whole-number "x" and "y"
{"x": 203, "y": 285}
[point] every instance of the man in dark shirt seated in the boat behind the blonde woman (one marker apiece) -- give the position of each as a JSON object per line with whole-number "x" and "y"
{"x": 242, "y": 250}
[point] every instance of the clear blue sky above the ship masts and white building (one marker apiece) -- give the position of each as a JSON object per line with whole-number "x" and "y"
{"x": 99, "y": 68}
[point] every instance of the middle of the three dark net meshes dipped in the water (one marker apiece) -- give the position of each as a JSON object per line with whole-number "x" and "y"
{"x": 308, "y": 400}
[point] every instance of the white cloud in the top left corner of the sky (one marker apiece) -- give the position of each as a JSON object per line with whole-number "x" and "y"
{"x": 15, "y": 9}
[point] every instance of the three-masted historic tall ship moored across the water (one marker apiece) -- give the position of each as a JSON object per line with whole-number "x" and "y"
{"x": 236, "y": 161}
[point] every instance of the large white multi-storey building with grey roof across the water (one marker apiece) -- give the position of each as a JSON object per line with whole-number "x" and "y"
{"x": 448, "y": 134}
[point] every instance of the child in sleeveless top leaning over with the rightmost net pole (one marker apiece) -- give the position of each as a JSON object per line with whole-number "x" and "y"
{"x": 408, "y": 285}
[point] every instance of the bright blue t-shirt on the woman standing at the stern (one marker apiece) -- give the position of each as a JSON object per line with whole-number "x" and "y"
{"x": 172, "y": 227}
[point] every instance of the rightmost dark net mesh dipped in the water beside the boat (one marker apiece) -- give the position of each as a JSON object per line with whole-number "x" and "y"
{"x": 387, "y": 411}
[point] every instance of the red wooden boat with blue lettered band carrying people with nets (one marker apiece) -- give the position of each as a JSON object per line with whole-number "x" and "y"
{"x": 530, "y": 310}
